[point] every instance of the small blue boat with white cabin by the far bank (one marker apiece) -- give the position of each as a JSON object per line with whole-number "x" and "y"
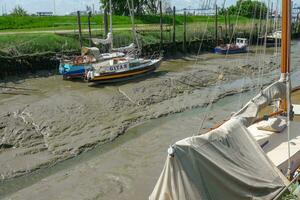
{"x": 241, "y": 46}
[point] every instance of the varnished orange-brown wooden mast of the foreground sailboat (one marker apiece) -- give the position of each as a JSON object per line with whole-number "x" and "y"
{"x": 285, "y": 66}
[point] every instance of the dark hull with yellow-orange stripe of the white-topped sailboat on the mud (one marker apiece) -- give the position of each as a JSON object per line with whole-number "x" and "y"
{"x": 126, "y": 75}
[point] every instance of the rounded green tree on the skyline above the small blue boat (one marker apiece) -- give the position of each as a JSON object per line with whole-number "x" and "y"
{"x": 247, "y": 8}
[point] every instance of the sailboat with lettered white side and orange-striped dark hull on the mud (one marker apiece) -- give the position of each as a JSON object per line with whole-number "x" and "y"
{"x": 120, "y": 69}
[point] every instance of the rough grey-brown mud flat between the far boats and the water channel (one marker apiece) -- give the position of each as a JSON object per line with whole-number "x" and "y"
{"x": 54, "y": 120}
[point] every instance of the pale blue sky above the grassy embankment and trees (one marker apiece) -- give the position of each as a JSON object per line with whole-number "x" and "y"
{"x": 63, "y": 7}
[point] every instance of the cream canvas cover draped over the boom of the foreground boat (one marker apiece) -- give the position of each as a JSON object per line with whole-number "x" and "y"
{"x": 225, "y": 163}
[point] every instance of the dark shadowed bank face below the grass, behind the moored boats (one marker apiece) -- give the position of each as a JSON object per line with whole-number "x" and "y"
{"x": 14, "y": 64}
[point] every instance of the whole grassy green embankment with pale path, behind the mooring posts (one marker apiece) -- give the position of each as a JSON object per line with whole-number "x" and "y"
{"x": 28, "y": 43}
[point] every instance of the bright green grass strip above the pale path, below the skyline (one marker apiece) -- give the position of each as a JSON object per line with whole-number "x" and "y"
{"x": 9, "y": 23}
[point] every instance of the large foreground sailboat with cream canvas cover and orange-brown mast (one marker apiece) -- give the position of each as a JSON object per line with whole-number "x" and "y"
{"x": 243, "y": 158}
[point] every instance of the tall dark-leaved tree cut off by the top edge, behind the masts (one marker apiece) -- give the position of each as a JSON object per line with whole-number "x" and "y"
{"x": 120, "y": 7}
